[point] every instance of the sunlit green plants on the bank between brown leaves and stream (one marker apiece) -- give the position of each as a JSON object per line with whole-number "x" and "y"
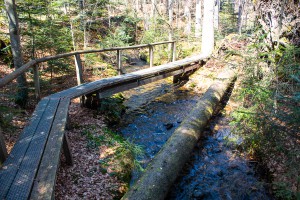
{"x": 117, "y": 155}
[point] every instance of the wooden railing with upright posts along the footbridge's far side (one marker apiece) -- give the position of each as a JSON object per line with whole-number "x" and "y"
{"x": 78, "y": 64}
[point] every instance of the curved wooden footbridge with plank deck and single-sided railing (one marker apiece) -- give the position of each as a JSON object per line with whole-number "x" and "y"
{"x": 29, "y": 171}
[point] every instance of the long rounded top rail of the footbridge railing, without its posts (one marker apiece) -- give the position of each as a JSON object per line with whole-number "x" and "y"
{"x": 8, "y": 78}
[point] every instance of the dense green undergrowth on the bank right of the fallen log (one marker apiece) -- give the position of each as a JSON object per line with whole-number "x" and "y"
{"x": 269, "y": 115}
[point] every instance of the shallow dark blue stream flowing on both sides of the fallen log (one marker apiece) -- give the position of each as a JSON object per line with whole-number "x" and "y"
{"x": 216, "y": 170}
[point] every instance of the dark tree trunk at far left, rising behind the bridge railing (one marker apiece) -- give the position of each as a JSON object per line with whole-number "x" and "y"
{"x": 14, "y": 33}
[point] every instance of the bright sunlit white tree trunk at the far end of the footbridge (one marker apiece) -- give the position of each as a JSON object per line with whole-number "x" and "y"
{"x": 208, "y": 40}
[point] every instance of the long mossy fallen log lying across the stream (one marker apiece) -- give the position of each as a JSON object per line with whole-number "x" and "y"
{"x": 163, "y": 170}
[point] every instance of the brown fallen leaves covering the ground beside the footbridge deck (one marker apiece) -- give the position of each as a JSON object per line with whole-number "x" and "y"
{"x": 85, "y": 179}
